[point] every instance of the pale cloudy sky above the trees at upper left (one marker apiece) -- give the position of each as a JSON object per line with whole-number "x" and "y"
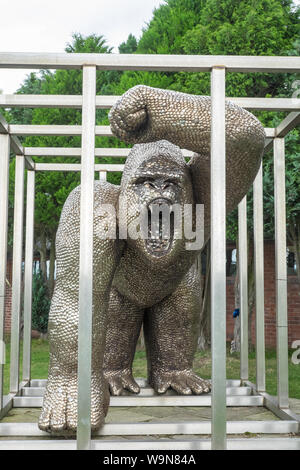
{"x": 47, "y": 26}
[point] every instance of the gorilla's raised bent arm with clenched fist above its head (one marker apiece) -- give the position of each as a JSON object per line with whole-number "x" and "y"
{"x": 145, "y": 114}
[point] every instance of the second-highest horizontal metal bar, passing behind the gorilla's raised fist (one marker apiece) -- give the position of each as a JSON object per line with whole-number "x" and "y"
{"x": 107, "y": 101}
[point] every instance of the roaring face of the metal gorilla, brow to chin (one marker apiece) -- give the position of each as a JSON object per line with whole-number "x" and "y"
{"x": 157, "y": 190}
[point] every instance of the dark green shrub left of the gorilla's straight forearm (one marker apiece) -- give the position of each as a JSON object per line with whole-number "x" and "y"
{"x": 40, "y": 303}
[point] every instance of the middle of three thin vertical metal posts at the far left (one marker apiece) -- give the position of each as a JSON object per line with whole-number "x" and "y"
{"x": 17, "y": 274}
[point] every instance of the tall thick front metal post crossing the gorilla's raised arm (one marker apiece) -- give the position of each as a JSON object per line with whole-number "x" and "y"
{"x": 218, "y": 257}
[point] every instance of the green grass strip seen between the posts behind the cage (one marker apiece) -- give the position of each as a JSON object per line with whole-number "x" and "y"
{"x": 202, "y": 365}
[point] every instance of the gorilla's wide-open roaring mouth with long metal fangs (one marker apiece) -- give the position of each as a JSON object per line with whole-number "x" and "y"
{"x": 160, "y": 227}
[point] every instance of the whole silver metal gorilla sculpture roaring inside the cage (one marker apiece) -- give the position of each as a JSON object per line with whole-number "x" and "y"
{"x": 151, "y": 282}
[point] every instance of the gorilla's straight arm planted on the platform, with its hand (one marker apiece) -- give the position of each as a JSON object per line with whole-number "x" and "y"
{"x": 59, "y": 413}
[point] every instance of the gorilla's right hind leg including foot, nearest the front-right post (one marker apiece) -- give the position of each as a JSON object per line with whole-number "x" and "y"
{"x": 171, "y": 331}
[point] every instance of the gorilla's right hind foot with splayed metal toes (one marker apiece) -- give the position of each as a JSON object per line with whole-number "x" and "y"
{"x": 184, "y": 382}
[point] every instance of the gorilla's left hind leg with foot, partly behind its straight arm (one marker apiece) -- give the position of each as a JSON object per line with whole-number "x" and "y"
{"x": 124, "y": 325}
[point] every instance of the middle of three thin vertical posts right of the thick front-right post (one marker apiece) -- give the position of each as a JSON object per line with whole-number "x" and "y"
{"x": 258, "y": 226}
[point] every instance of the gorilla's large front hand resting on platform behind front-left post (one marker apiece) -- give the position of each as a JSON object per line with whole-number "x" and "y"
{"x": 59, "y": 412}
